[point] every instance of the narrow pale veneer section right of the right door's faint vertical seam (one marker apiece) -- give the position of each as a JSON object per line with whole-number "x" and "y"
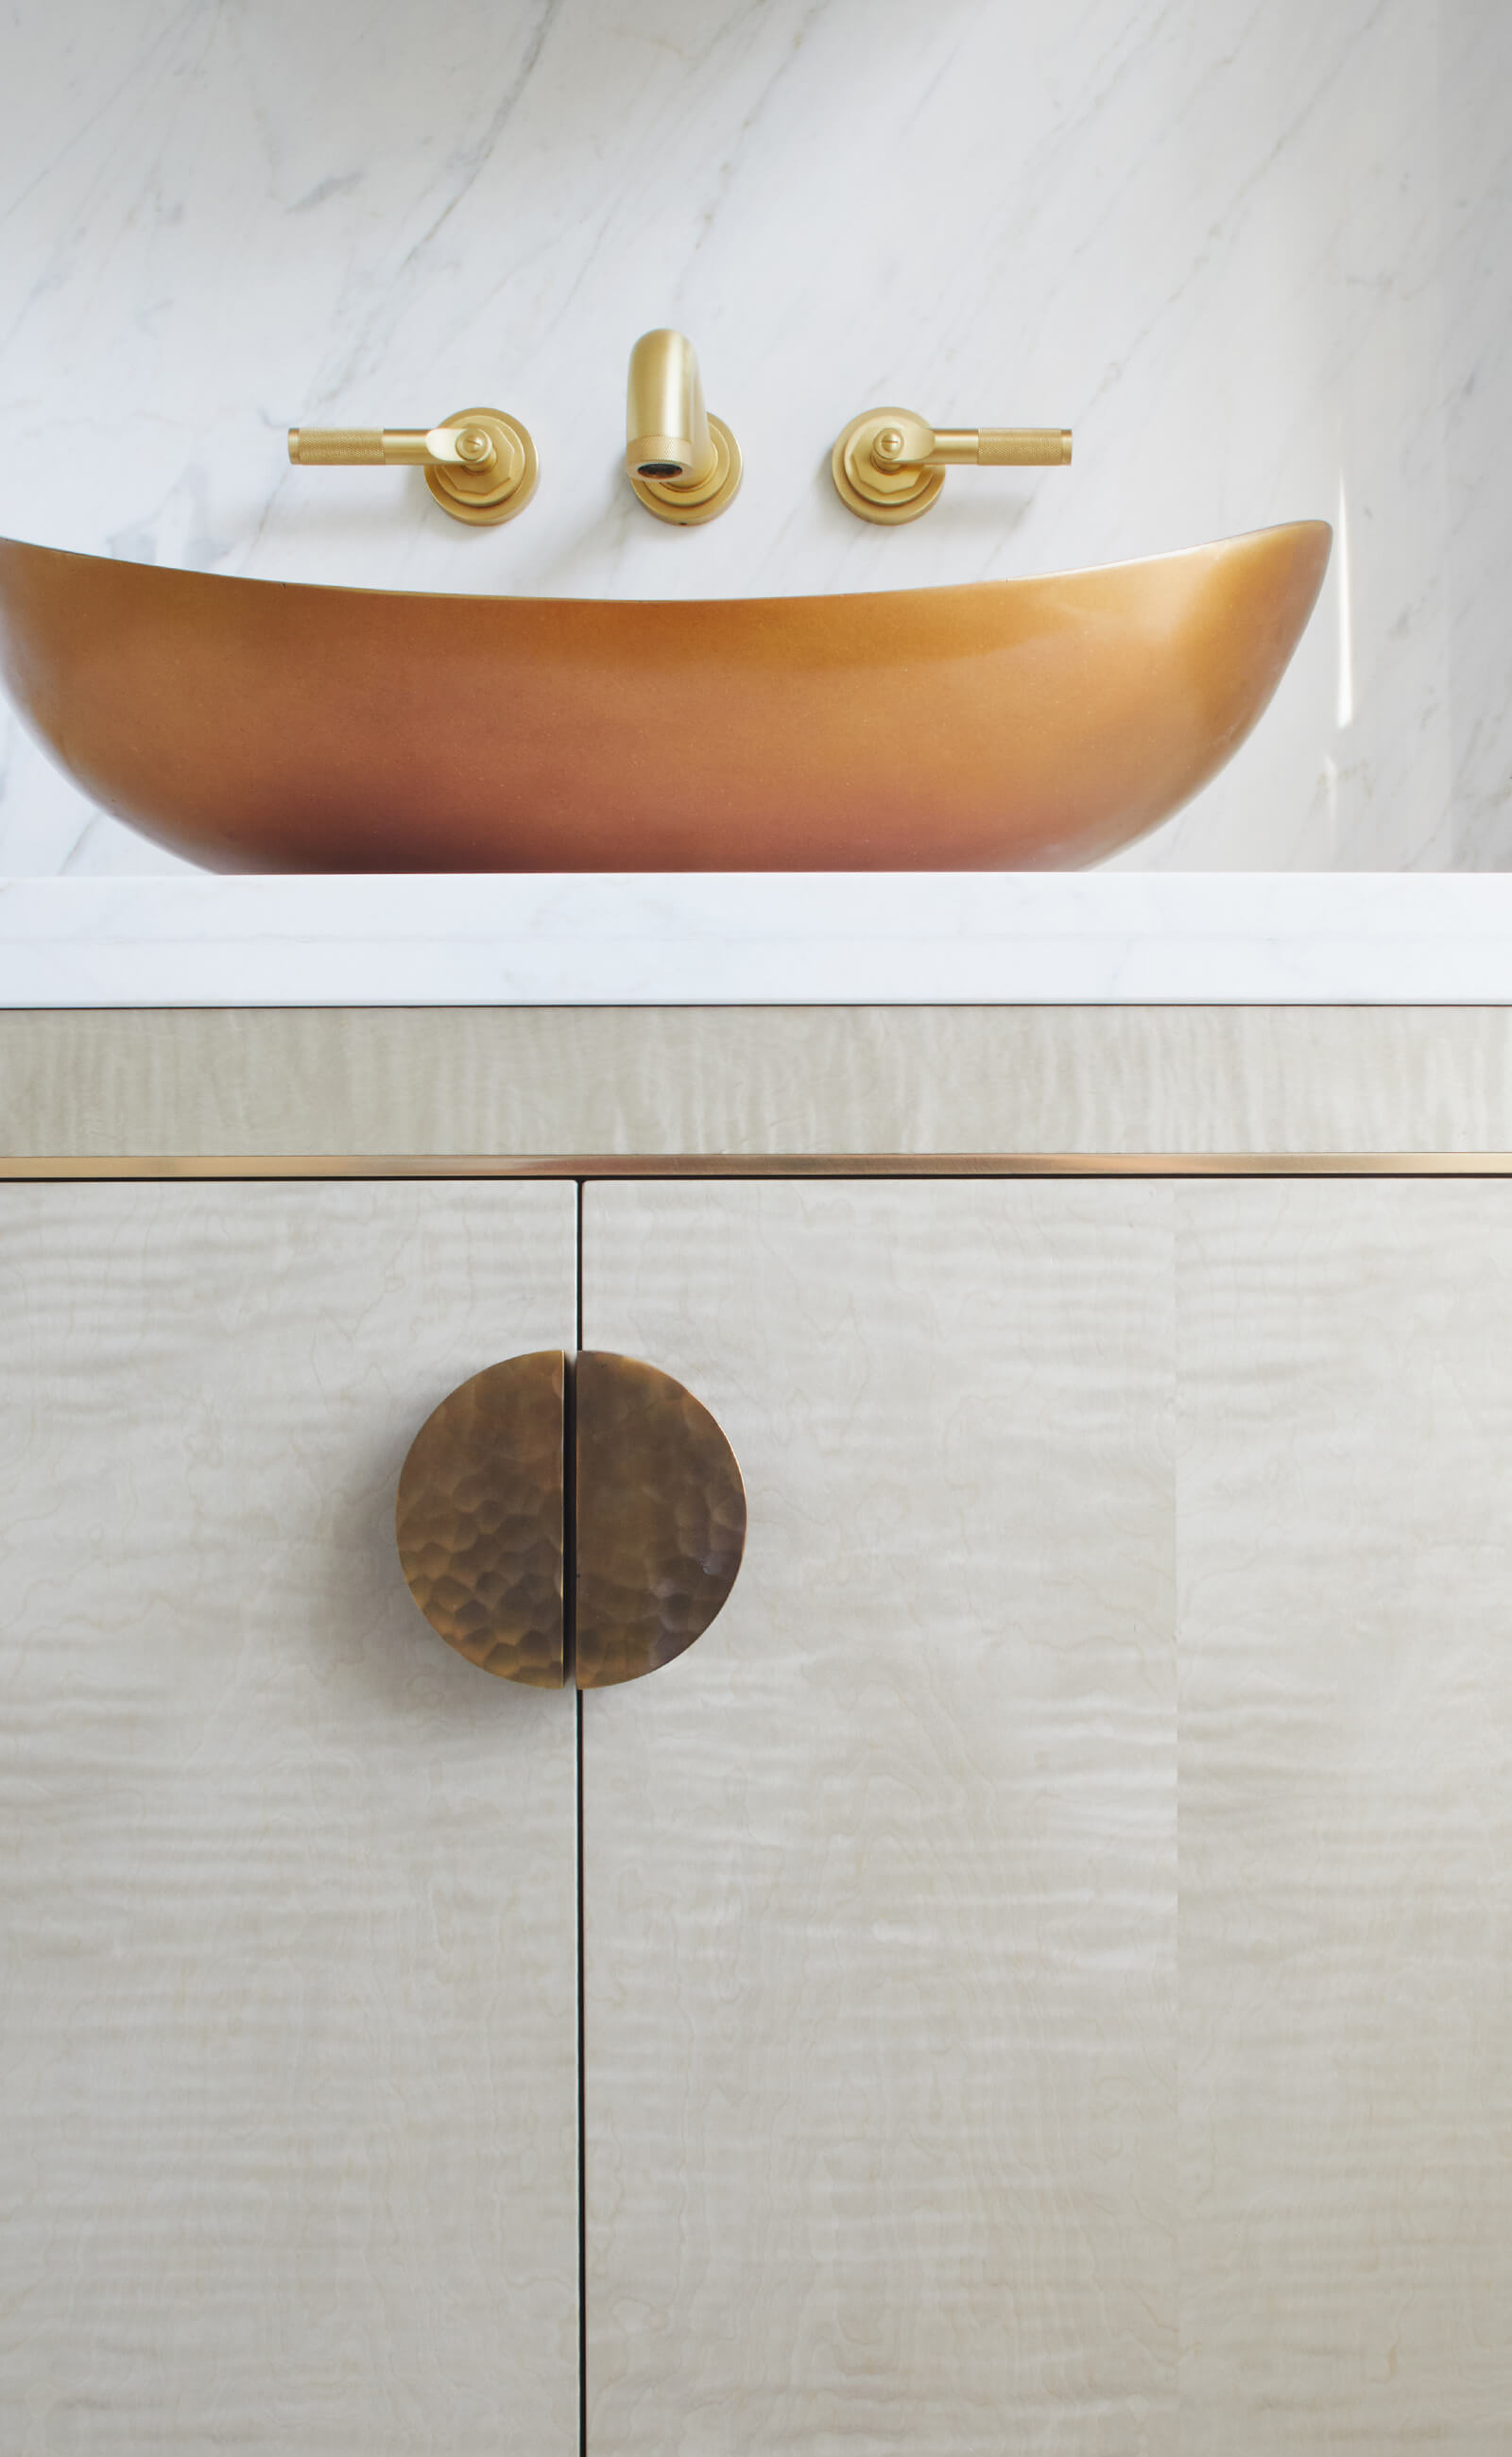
{"x": 1346, "y": 1817}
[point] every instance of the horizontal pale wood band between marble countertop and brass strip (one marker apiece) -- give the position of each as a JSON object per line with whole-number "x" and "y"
{"x": 758, "y": 1080}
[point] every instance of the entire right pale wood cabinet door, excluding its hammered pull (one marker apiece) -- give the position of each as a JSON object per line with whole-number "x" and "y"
{"x": 935, "y": 2100}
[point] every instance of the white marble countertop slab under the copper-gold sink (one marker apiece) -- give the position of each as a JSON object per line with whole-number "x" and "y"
{"x": 758, "y": 940}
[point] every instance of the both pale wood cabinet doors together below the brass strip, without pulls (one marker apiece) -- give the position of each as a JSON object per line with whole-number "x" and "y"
{"x": 1041, "y": 1957}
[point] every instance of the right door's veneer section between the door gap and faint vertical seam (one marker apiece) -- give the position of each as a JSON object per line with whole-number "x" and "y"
{"x": 881, "y": 1873}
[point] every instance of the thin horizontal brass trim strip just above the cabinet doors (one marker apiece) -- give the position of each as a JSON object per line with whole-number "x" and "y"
{"x": 589, "y": 1166}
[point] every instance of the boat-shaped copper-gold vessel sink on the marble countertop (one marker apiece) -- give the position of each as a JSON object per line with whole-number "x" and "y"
{"x": 999, "y": 726}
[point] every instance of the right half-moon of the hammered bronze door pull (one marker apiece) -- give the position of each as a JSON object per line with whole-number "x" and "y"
{"x": 660, "y": 1520}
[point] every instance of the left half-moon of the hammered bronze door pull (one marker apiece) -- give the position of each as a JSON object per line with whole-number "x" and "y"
{"x": 481, "y": 1520}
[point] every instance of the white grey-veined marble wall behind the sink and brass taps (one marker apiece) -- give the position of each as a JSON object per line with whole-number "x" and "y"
{"x": 1248, "y": 254}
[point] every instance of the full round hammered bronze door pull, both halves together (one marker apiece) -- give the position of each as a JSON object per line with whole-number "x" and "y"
{"x": 658, "y": 1520}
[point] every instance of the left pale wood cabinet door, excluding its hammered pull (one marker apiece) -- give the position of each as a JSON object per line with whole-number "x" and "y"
{"x": 289, "y": 1886}
